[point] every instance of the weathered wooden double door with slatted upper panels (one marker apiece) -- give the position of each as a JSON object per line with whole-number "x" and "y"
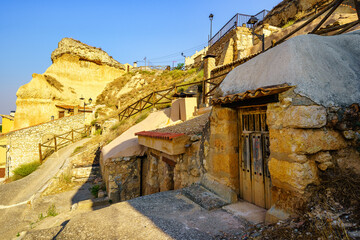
{"x": 255, "y": 181}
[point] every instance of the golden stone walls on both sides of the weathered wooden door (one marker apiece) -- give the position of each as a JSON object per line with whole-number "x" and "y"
{"x": 306, "y": 140}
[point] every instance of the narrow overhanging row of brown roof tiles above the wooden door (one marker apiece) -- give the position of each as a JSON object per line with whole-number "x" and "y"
{"x": 260, "y": 92}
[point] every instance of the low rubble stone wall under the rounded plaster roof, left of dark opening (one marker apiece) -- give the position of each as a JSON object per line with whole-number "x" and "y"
{"x": 125, "y": 171}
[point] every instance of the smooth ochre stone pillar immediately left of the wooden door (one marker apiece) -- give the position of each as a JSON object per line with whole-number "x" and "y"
{"x": 222, "y": 162}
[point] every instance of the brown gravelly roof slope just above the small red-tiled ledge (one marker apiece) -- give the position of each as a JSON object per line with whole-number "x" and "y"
{"x": 191, "y": 127}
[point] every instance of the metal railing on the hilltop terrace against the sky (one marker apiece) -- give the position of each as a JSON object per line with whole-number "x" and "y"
{"x": 237, "y": 21}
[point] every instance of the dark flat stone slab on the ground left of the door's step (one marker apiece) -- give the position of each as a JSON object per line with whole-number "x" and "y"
{"x": 203, "y": 197}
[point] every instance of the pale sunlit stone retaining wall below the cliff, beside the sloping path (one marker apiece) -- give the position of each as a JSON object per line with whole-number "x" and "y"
{"x": 24, "y": 143}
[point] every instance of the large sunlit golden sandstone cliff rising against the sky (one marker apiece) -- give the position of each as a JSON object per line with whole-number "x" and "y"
{"x": 77, "y": 70}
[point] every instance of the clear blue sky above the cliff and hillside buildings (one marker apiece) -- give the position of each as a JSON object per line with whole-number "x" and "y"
{"x": 126, "y": 30}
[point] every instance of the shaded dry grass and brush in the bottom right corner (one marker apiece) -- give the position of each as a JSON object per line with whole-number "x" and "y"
{"x": 333, "y": 210}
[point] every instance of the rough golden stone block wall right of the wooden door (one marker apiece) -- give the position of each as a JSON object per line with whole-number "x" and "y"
{"x": 306, "y": 139}
